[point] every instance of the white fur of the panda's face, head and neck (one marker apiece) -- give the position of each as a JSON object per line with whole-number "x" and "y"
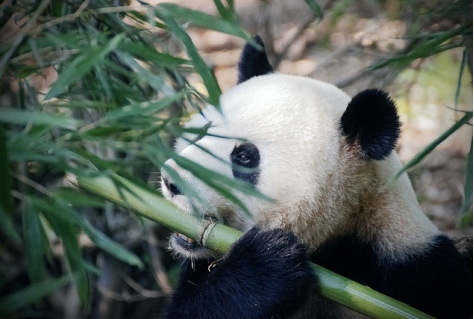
{"x": 321, "y": 186}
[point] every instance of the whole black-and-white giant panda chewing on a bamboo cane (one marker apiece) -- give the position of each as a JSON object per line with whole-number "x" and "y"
{"x": 326, "y": 161}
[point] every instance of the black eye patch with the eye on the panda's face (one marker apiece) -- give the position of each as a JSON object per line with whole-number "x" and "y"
{"x": 245, "y": 160}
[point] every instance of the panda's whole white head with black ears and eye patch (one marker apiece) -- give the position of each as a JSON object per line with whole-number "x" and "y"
{"x": 302, "y": 142}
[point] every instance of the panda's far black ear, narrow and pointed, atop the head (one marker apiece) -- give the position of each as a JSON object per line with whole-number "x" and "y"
{"x": 253, "y": 62}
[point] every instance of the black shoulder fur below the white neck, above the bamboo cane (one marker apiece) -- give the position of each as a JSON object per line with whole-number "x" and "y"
{"x": 436, "y": 281}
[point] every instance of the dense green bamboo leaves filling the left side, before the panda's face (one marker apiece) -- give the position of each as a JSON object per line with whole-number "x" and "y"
{"x": 114, "y": 107}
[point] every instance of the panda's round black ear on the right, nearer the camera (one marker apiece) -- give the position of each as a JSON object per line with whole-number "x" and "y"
{"x": 371, "y": 121}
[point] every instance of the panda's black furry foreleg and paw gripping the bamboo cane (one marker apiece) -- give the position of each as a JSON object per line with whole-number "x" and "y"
{"x": 265, "y": 275}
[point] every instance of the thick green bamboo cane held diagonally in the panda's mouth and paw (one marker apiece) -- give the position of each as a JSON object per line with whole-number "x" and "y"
{"x": 219, "y": 237}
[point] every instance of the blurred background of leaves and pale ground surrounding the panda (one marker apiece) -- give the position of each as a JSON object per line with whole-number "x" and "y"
{"x": 100, "y": 87}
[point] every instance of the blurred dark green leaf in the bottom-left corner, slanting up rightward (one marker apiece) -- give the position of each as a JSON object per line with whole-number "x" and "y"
{"x": 14, "y": 302}
